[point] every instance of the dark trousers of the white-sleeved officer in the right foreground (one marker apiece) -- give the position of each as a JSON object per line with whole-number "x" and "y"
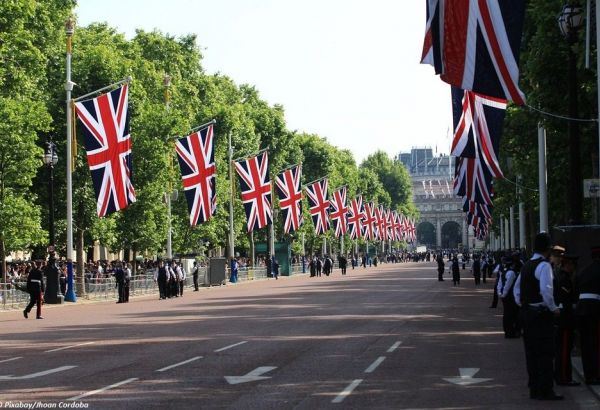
{"x": 538, "y": 338}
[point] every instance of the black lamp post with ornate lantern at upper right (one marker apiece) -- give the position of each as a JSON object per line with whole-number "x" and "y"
{"x": 570, "y": 21}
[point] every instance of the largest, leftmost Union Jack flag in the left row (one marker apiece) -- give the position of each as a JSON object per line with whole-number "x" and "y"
{"x": 105, "y": 128}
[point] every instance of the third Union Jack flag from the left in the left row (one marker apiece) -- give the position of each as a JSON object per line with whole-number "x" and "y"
{"x": 255, "y": 185}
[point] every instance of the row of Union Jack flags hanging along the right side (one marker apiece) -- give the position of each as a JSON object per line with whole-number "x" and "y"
{"x": 474, "y": 46}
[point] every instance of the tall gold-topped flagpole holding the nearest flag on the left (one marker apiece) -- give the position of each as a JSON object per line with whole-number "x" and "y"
{"x": 70, "y": 296}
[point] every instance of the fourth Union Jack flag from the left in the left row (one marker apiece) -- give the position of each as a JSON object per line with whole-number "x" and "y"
{"x": 289, "y": 191}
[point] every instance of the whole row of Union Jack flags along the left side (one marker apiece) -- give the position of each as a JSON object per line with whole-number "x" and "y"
{"x": 105, "y": 126}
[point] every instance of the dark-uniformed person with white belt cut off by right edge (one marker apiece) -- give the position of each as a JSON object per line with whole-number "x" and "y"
{"x": 587, "y": 285}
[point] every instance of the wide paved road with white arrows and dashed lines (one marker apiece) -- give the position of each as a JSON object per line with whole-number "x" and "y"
{"x": 382, "y": 338}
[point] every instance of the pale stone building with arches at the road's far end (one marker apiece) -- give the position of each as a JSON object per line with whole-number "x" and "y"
{"x": 442, "y": 224}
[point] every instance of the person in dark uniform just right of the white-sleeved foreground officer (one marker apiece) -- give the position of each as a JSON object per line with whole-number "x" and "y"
{"x": 565, "y": 323}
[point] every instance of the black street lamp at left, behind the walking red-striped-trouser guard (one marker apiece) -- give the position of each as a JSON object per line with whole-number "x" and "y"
{"x": 52, "y": 293}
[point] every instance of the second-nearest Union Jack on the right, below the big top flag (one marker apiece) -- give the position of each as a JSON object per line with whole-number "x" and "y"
{"x": 478, "y": 127}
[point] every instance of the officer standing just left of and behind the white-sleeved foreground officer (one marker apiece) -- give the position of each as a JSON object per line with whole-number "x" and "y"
{"x": 508, "y": 277}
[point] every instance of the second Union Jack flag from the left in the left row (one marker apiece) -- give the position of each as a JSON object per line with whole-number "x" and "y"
{"x": 196, "y": 155}
